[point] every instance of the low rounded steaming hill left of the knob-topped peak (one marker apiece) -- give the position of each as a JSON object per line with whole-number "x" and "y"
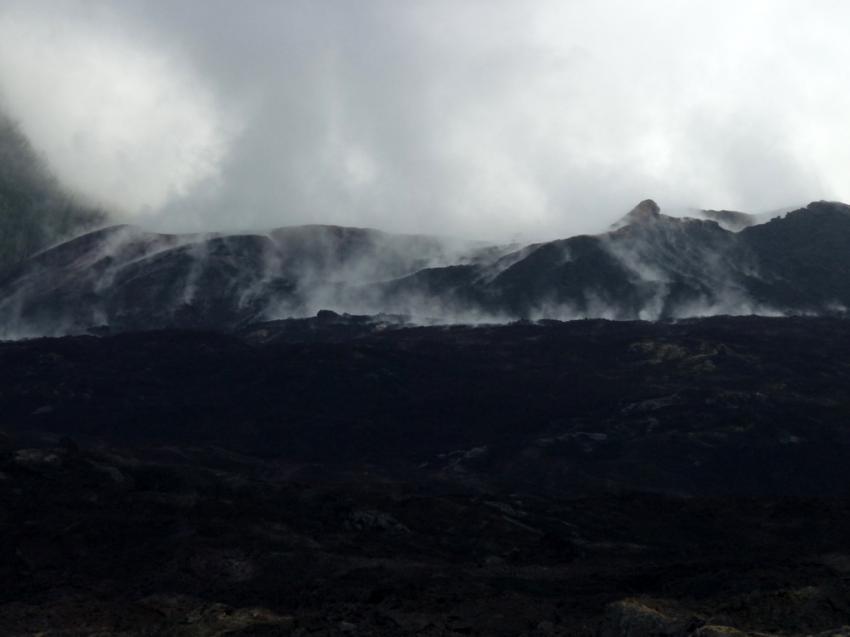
{"x": 129, "y": 279}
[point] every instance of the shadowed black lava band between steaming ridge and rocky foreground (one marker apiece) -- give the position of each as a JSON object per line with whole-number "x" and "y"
{"x": 748, "y": 405}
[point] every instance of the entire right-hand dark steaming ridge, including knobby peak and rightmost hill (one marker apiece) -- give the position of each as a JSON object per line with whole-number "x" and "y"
{"x": 652, "y": 266}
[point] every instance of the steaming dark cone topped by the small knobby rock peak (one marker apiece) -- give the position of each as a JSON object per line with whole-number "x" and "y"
{"x": 651, "y": 266}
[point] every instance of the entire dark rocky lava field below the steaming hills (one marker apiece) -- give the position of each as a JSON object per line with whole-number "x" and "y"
{"x": 356, "y": 475}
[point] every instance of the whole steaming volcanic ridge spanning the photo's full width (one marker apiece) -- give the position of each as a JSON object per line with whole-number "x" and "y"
{"x": 648, "y": 266}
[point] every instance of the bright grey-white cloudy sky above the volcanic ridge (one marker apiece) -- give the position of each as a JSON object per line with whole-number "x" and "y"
{"x": 482, "y": 118}
